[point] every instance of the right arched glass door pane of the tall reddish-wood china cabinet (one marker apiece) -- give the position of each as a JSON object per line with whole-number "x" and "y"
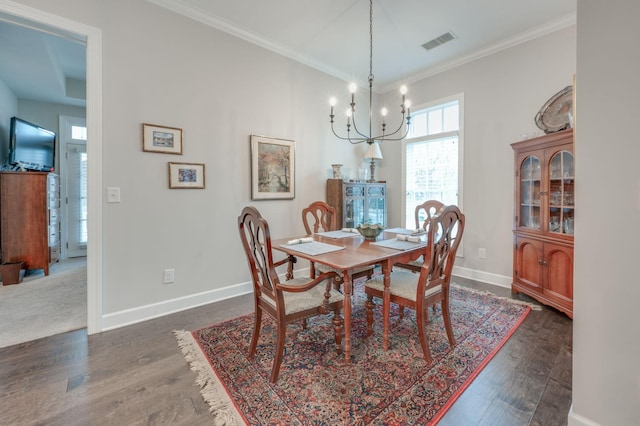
{"x": 561, "y": 195}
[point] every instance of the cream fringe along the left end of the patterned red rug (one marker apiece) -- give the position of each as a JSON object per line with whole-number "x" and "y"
{"x": 213, "y": 392}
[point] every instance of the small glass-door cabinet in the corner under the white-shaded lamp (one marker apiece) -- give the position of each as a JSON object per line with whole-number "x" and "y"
{"x": 357, "y": 202}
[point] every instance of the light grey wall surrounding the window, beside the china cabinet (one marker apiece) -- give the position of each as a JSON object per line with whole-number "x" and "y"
{"x": 502, "y": 94}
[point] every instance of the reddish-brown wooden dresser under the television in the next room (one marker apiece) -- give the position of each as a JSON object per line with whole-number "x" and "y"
{"x": 29, "y": 218}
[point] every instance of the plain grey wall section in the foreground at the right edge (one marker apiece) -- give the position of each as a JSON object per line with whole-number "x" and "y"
{"x": 606, "y": 348}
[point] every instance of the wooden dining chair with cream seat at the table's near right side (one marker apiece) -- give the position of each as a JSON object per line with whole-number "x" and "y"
{"x": 431, "y": 286}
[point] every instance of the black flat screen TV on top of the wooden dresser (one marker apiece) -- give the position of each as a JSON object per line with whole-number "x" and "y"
{"x": 31, "y": 146}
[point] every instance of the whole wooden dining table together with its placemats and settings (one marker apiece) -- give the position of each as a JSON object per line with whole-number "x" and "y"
{"x": 346, "y": 250}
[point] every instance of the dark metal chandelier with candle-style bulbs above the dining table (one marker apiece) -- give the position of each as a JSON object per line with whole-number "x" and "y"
{"x": 359, "y": 136}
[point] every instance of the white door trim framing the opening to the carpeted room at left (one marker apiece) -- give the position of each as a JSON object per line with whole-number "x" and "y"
{"x": 93, "y": 39}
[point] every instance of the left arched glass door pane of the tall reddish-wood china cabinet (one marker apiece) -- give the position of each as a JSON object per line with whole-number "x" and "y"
{"x": 530, "y": 193}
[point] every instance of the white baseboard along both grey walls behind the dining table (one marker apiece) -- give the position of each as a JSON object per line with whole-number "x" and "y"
{"x": 143, "y": 313}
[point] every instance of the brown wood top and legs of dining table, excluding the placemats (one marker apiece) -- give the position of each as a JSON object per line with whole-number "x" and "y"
{"x": 357, "y": 253}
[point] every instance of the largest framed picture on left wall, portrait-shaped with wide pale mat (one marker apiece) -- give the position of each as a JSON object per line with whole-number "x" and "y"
{"x": 272, "y": 168}
